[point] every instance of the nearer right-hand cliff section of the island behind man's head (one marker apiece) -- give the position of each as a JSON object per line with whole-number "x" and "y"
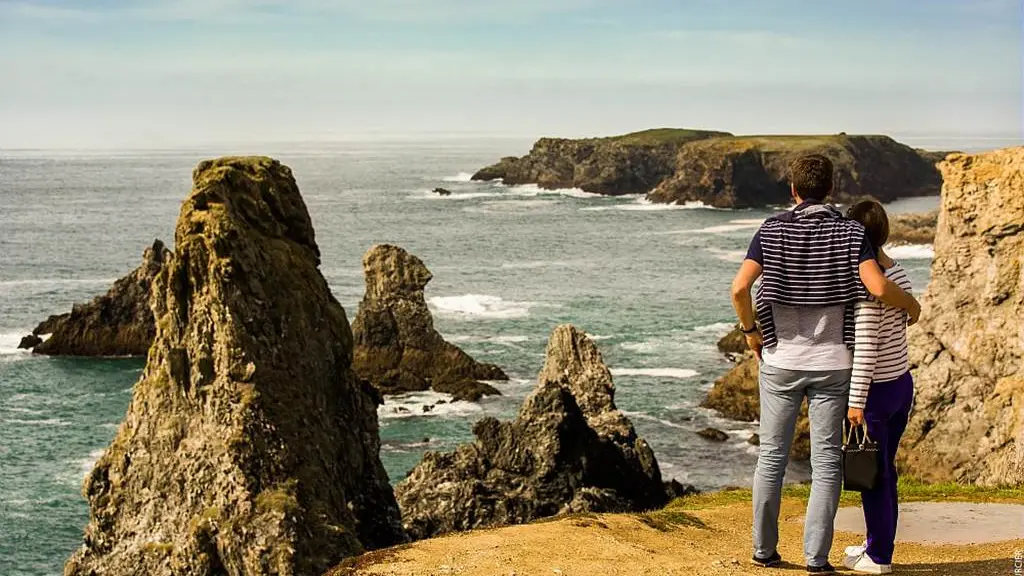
{"x": 752, "y": 172}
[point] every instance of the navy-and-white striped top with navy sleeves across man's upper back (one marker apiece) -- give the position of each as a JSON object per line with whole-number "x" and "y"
{"x": 810, "y": 257}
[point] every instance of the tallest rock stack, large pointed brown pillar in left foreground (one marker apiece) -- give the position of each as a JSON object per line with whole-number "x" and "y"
{"x": 249, "y": 447}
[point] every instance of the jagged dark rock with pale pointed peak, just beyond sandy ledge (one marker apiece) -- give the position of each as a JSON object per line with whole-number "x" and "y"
{"x": 570, "y": 449}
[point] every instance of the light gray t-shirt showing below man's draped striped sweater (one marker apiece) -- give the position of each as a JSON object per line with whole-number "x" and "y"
{"x": 809, "y": 339}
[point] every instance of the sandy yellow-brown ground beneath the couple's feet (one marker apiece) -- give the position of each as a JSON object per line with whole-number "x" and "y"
{"x": 708, "y": 543}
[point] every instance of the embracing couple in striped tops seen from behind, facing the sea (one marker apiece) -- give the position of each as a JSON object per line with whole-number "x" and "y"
{"x": 829, "y": 323}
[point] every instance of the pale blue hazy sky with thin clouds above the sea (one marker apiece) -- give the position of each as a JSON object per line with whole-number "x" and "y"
{"x": 172, "y": 73}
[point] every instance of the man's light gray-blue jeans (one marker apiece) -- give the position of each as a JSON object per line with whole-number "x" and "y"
{"x": 782, "y": 394}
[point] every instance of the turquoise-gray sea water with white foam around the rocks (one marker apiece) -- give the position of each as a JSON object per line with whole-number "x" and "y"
{"x": 650, "y": 283}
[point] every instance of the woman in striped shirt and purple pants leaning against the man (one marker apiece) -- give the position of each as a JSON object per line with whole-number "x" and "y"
{"x": 881, "y": 395}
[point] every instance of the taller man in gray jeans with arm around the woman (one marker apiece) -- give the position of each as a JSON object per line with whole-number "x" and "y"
{"x": 815, "y": 266}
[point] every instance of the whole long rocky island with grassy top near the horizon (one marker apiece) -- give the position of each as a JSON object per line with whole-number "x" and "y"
{"x": 717, "y": 169}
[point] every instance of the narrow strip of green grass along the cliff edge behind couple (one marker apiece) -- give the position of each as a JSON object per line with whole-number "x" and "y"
{"x": 910, "y": 491}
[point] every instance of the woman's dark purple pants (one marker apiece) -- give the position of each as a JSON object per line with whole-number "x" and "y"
{"x": 886, "y": 414}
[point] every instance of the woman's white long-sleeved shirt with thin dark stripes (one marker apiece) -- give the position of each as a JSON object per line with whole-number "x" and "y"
{"x": 880, "y": 353}
